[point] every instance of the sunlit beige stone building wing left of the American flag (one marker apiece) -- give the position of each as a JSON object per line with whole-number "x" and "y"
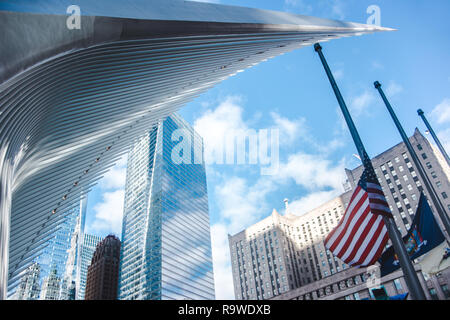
{"x": 282, "y": 253}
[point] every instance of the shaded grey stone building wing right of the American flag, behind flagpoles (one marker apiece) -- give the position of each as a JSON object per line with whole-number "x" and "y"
{"x": 400, "y": 181}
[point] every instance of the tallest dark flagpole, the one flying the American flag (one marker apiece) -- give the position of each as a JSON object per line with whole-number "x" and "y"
{"x": 411, "y": 278}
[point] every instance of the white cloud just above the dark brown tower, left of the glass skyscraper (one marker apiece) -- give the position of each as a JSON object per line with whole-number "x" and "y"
{"x": 108, "y": 212}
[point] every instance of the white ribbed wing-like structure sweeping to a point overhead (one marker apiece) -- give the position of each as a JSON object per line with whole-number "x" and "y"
{"x": 74, "y": 98}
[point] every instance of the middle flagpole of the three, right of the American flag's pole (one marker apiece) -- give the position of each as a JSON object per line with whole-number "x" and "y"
{"x": 428, "y": 185}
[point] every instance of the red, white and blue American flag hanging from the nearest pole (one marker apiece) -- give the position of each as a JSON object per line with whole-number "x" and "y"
{"x": 361, "y": 235}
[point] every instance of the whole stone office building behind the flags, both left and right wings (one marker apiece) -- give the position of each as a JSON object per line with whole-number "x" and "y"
{"x": 284, "y": 254}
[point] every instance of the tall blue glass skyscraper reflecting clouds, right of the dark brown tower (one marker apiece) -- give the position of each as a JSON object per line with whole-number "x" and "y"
{"x": 166, "y": 242}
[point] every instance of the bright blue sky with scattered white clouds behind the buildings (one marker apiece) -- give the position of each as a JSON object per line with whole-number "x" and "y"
{"x": 291, "y": 93}
